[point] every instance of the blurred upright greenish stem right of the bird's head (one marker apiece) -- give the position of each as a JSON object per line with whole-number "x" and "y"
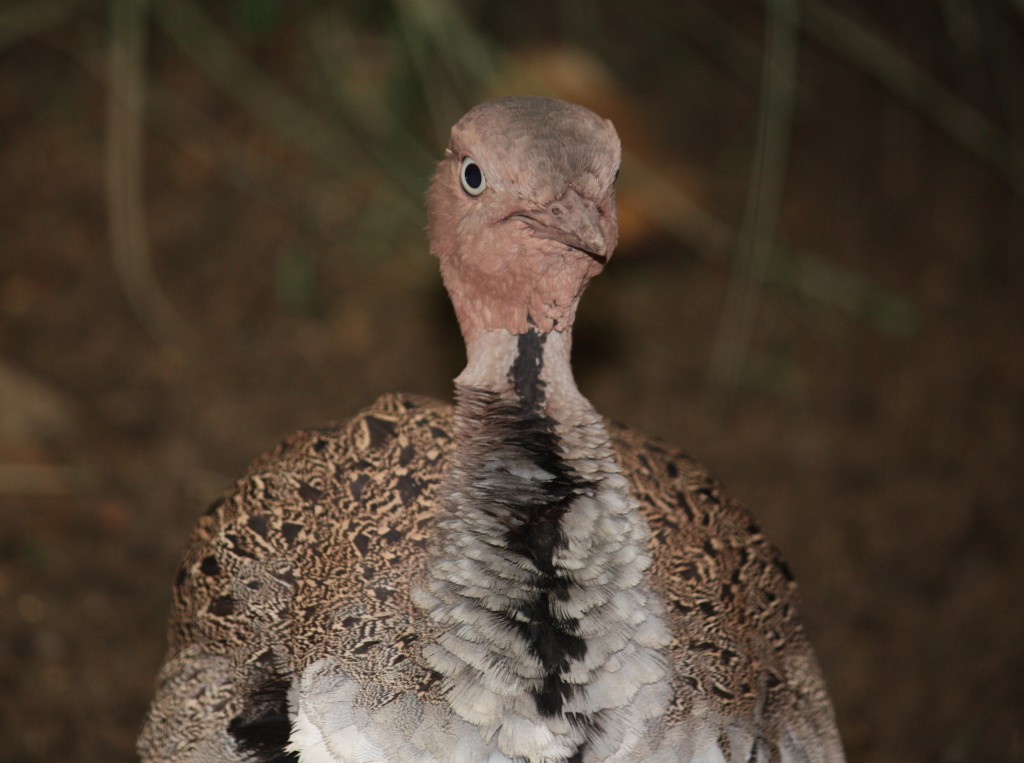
{"x": 764, "y": 198}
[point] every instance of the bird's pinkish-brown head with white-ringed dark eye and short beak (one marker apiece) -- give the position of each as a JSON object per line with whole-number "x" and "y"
{"x": 523, "y": 213}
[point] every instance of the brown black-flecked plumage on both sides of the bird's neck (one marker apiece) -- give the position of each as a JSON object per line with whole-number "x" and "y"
{"x": 332, "y": 527}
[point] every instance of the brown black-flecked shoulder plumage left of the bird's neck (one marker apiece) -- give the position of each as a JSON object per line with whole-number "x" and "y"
{"x": 316, "y": 545}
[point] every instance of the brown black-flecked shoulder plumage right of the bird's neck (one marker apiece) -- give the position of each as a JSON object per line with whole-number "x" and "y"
{"x": 739, "y": 648}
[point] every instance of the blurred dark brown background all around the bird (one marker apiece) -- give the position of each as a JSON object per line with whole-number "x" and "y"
{"x": 211, "y": 234}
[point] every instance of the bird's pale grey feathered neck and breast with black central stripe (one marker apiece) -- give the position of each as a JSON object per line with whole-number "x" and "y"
{"x": 537, "y": 576}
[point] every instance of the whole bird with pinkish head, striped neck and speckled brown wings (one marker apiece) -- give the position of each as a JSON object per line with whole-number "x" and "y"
{"x": 513, "y": 578}
